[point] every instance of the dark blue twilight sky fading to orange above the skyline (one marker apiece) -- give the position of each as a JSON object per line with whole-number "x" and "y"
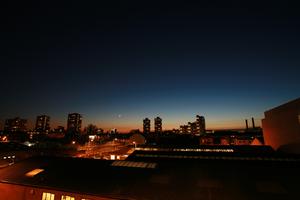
{"x": 119, "y": 62}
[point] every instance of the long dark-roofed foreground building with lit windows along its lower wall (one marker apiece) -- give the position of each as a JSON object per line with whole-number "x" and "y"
{"x": 209, "y": 177}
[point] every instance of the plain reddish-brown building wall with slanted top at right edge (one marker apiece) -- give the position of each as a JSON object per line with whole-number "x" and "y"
{"x": 281, "y": 125}
